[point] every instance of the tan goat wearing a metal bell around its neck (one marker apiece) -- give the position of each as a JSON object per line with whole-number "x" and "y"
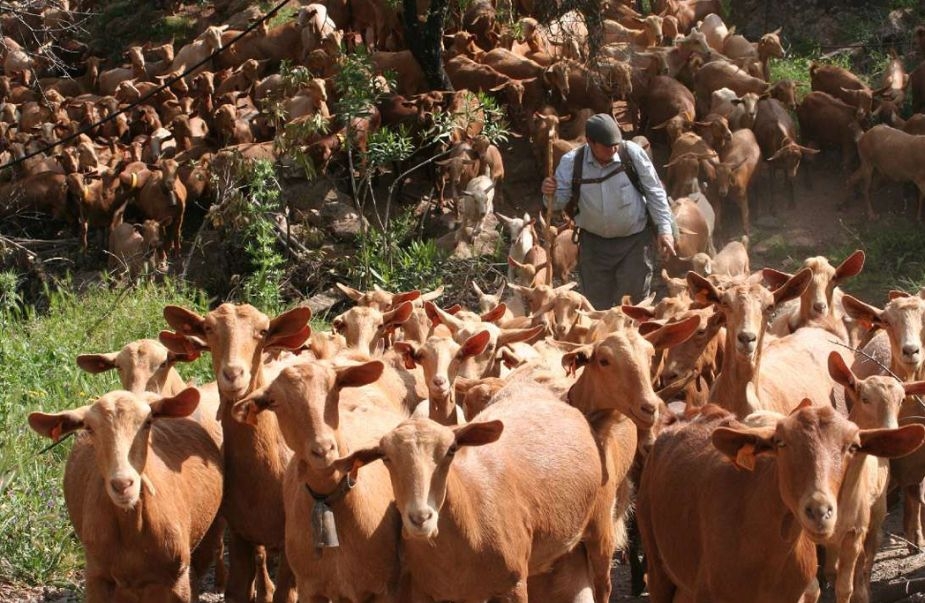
{"x": 323, "y": 413}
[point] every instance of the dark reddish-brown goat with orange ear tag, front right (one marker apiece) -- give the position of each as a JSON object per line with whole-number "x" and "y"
{"x": 778, "y": 483}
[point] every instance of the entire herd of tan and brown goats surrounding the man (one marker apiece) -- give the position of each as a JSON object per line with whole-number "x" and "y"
{"x": 729, "y": 429}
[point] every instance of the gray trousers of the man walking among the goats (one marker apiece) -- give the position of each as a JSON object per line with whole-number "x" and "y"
{"x": 612, "y": 268}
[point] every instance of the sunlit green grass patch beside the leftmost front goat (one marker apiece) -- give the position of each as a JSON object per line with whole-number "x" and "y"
{"x": 37, "y": 352}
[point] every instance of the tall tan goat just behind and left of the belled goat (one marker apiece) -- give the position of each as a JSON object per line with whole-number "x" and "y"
{"x": 255, "y": 455}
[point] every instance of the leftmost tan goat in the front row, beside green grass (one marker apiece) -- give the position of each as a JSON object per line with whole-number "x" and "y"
{"x": 142, "y": 492}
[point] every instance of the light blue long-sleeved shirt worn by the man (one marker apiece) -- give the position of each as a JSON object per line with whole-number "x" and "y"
{"x": 614, "y": 208}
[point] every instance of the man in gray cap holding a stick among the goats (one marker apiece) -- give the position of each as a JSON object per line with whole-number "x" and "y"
{"x": 613, "y": 215}
